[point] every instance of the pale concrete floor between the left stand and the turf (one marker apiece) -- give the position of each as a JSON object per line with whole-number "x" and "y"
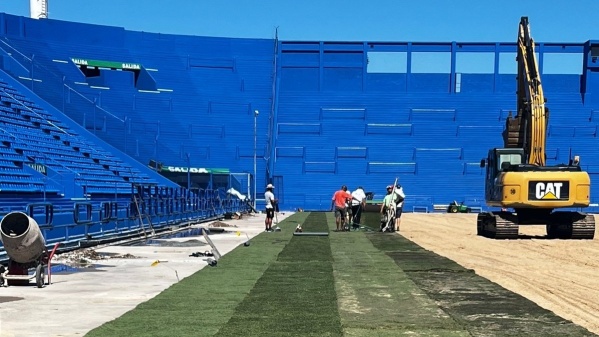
{"x": 76, "y": 302}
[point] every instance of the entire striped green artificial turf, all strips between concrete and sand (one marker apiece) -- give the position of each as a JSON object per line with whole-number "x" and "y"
{"x": 354, "y": 284}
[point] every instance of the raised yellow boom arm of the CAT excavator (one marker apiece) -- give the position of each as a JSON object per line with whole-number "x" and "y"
{"x": 528, "y": 129}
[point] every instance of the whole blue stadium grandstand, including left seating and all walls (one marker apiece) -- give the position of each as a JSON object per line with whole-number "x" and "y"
{"x": 106, "y": 130}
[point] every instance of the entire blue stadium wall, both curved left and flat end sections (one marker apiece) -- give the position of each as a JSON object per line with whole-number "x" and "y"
{"x": 326, "y": 118}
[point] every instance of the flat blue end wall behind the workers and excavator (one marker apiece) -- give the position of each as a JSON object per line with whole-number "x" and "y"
{"x": 338, "y": 122}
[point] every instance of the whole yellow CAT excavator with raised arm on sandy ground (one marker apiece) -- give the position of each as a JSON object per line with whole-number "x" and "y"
{"x": 517, "y": 176}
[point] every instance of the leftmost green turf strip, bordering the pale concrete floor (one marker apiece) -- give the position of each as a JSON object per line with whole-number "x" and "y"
{"x": 202, "y": 303}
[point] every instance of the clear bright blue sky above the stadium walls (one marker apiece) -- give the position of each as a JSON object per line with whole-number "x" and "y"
{"x": 337, "y": 20}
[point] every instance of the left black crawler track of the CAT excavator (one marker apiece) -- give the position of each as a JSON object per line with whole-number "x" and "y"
{"x": 497, "y": 225}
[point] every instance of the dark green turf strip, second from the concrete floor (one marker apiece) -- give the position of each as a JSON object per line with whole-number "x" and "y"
{"x": 296, "y": 295}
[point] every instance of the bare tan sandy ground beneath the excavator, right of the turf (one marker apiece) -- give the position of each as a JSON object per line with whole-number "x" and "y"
{"x": 558, "y": 275}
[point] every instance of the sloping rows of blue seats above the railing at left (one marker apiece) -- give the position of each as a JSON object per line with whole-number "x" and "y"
{"x": 33, "y": 137}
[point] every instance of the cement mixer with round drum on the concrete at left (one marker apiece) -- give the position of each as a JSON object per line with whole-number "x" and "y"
{"x": 26, "y": 249}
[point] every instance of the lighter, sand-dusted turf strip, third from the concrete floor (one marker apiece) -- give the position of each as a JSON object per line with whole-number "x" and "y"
{"x": 375, "y": 296}
